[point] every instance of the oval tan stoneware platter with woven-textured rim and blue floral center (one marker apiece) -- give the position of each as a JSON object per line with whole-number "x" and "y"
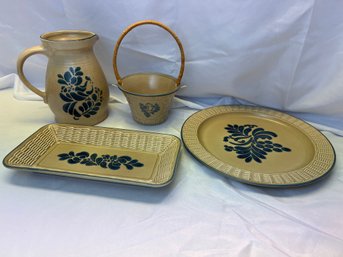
{"x": 258, "y": 146}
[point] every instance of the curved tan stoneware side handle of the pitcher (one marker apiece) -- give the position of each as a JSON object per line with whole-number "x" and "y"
{"x": 20, "y": 64}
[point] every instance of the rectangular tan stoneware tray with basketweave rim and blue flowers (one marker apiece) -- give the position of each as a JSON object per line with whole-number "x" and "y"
{"x": 107, "y": 154}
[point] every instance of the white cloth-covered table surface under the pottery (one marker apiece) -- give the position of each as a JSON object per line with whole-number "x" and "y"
{"x": 200, "y": 214}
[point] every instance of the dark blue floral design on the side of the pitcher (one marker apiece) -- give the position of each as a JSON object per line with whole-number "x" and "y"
{"x": 81, "y": 96}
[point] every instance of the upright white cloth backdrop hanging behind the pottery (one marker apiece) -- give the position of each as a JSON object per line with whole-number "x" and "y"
{"x": 282, "y": 54}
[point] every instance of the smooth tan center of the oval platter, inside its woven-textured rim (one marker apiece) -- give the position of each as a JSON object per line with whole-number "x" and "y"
{"x": 250, "y": 149}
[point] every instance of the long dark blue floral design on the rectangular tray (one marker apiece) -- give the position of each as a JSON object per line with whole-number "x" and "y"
{"x": 105, "y": 161}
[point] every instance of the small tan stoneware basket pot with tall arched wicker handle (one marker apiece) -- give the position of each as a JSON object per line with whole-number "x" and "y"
{"x": 150, "y": 95}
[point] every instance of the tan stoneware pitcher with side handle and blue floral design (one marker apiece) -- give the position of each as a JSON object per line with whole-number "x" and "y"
{"x": 75, "y": 85}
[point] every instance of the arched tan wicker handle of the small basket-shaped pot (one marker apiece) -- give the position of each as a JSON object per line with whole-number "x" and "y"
{"x": 128, "y": 29}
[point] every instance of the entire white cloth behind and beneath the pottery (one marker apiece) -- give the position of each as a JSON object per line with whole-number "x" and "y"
{"x": 282, "y": 54}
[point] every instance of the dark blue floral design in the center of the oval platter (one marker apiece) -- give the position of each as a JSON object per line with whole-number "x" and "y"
{"x": 251, "y": 142}
